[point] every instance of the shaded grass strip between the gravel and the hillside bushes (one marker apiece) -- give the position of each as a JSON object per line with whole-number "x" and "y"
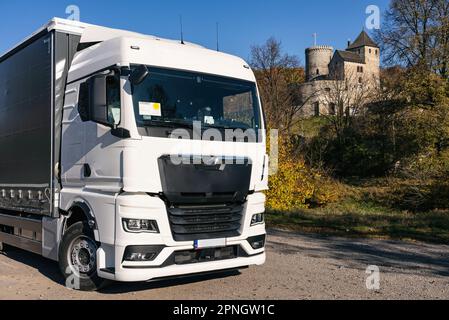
{"x": 366, "y": 209}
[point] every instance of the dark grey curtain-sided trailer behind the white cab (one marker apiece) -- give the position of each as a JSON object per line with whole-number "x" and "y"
{"x": 32, "y": 87}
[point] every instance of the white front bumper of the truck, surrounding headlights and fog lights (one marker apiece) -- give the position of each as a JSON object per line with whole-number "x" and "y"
{"x": 141, "y": 206}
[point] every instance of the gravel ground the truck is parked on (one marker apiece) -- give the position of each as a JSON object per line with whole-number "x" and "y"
{"x": 298, "y": 267}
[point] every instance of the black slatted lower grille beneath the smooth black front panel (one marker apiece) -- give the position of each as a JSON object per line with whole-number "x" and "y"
{"x": 205, "y": 222}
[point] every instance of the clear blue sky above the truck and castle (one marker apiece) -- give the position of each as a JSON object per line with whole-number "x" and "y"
{"x": 242, "y": 22}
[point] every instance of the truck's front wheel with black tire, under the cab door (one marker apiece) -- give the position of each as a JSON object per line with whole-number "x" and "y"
{"x": 78, "y": 260}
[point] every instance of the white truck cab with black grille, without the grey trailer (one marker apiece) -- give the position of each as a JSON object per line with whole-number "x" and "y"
{"x": 162, "y": 161}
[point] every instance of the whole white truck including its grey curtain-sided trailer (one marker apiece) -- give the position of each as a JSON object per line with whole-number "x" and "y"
{"x": 128, "y": 157}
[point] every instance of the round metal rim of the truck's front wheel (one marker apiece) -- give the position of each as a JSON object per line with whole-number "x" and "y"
{"x": 82, "y": 256}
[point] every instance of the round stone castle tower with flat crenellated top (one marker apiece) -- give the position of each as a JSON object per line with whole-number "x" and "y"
{"x": 317, "y": 61}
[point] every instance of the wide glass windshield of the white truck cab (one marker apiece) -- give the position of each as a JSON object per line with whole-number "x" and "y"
{"x": 178, "y": 98}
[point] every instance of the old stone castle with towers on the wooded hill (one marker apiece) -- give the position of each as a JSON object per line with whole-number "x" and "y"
{"x": 326, "y": 71}
